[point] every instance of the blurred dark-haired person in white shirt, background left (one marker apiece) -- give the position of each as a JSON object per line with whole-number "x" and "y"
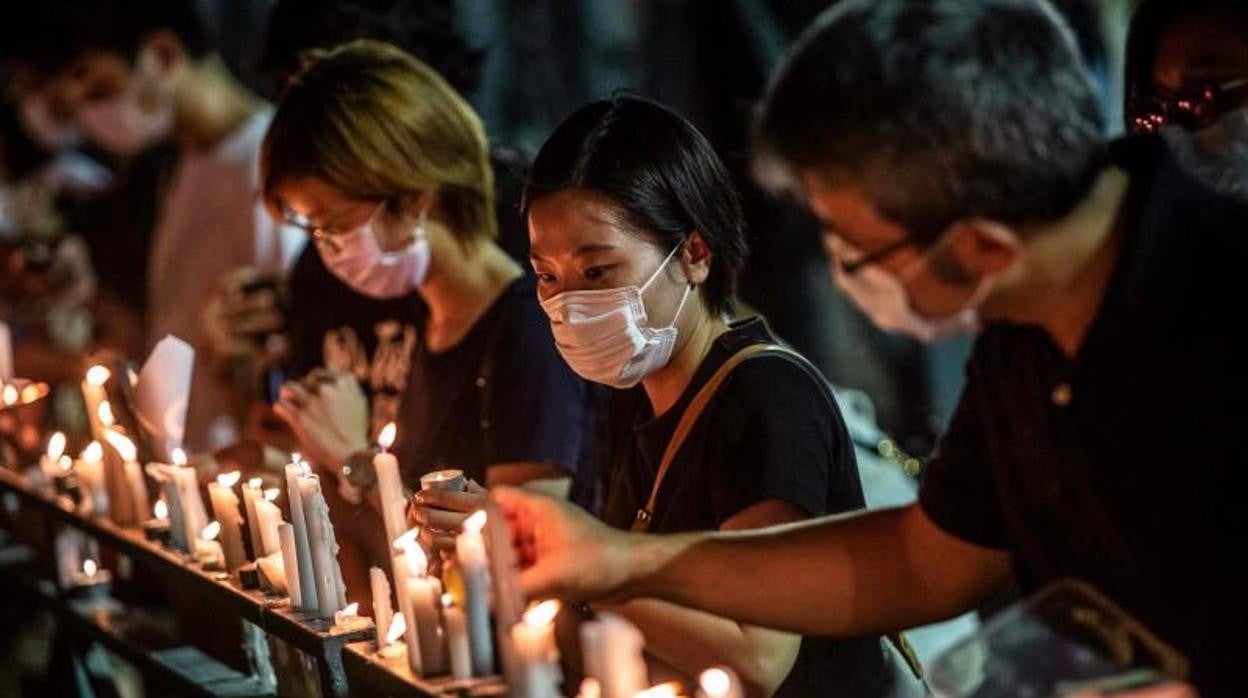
{"x": 139, "y": 73}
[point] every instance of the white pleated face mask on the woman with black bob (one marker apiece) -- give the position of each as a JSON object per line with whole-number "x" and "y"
{"x": 605, "y": 338}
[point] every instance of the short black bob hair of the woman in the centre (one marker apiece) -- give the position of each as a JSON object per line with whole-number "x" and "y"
{"x": 660, "y": 170}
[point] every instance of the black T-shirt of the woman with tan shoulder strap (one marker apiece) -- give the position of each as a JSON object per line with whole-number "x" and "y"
{"x": 773, "y": 431}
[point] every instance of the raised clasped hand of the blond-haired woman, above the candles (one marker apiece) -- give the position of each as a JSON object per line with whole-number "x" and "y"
{"x": 329, "y": 414}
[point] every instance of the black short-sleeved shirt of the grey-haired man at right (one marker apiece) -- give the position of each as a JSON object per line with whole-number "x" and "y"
{"x": 1125, "y": 466}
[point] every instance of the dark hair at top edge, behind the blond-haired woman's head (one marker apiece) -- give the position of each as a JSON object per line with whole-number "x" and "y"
{"x": 427, "y": 31}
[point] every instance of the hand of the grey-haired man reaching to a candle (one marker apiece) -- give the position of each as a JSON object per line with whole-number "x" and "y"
{"x": 562, "y": 550}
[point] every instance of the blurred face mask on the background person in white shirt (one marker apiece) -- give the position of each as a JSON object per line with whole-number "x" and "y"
{"x": 124, "y": 124}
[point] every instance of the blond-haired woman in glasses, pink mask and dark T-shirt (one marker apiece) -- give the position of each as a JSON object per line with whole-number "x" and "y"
{"x": 388, "y": 168}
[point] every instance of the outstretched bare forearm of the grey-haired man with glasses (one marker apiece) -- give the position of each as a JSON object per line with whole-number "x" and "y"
{"x": 846, "y": 576}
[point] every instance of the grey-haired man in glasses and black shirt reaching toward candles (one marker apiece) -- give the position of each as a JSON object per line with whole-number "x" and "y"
{"x": 954, "y": 152}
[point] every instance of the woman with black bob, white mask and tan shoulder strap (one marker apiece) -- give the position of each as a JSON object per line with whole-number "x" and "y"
{"x": 637, "y": 240}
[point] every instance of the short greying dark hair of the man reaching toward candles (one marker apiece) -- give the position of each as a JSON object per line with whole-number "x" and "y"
{"x": 938, "y": 111}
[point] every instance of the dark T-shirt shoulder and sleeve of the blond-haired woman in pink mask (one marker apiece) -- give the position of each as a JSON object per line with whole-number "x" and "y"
{"x": 502, "y": 395}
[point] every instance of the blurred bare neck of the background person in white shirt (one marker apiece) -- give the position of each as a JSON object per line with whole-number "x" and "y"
{"x": 212, "y": 104}
